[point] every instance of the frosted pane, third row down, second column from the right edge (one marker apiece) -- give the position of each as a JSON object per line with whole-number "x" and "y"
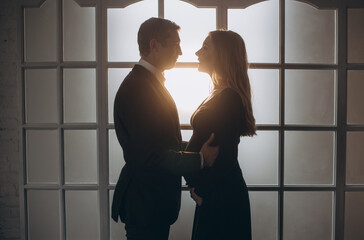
{"x": 309, "y": 157}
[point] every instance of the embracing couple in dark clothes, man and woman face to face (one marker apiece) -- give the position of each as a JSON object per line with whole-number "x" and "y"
{"x": 147, "y": 196}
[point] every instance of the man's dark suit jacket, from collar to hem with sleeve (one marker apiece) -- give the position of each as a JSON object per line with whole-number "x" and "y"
{"x": 147, "y": 127}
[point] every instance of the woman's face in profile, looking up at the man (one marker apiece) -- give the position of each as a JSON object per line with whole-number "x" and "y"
{"x": 206, "y": 56}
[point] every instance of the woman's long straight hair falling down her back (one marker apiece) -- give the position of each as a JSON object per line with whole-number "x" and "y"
{"x": 231, "y": 71}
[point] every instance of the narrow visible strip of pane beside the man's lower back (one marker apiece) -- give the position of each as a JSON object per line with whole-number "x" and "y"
{"x": 116, "y": 157}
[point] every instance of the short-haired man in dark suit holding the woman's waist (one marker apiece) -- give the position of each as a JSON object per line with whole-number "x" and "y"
{"x": 148, "y": 193}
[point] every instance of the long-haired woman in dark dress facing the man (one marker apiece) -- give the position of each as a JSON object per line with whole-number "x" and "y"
{"x": 223, "y": 208}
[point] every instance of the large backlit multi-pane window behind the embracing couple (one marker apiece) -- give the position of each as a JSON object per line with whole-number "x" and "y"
{"x": 305, "y": 167}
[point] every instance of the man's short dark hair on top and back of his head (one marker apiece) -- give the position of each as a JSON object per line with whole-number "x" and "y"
{"x": 154, "y": 28}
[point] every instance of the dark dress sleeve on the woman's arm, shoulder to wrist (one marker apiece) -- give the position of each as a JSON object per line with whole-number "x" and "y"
{"x": 224, "y": 118}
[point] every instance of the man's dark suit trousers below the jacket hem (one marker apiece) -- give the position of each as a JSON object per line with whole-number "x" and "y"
{"x": 151, "y": 232}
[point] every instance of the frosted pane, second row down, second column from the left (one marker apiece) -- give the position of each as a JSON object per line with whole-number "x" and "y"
{"x": 79, "y": 90}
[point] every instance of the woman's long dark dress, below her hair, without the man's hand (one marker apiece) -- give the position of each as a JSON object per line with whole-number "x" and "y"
{"x": 225, "y": 211}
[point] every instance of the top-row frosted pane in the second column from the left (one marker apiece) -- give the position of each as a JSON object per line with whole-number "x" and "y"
{"x": 79, "y": 34}
